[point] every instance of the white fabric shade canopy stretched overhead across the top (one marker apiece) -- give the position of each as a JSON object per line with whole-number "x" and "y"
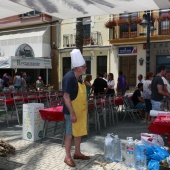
{"x": 64, "y": 9}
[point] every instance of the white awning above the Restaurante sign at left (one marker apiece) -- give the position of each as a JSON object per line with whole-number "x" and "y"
{"x": 38, "y": 38}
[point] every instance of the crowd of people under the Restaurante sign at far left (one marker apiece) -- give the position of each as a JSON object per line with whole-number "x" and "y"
{"x": 18, "y": 83}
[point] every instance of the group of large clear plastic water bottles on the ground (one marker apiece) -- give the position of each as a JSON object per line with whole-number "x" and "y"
{"x": 134, "y": 152}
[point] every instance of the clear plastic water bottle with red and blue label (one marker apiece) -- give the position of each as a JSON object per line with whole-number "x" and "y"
{"x": 129, "y": 152}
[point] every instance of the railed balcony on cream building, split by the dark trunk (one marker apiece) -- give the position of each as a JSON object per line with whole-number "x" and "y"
{"x": 94, "y": 38}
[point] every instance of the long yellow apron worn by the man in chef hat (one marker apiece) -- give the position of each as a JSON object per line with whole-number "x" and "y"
{"x": 80, "y": 107}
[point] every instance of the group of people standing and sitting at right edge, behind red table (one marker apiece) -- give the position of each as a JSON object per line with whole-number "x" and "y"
{"x": 152, "y": 92}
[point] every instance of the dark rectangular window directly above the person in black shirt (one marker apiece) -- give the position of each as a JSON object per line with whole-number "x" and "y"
{"x": 101, "y": 64}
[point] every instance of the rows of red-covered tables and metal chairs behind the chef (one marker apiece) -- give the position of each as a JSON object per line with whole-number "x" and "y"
{"x": 102, "y": 110}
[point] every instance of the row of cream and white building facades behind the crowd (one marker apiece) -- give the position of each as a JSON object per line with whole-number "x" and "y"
{"x": 40, "y": 45}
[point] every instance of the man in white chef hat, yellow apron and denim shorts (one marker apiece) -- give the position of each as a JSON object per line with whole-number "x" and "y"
{"x": 75, "y": 107}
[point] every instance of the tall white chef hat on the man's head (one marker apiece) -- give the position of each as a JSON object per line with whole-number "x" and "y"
{"x": 77, "y": 59}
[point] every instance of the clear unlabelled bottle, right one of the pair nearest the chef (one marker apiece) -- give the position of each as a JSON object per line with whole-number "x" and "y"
{"x": 117, "y": 149}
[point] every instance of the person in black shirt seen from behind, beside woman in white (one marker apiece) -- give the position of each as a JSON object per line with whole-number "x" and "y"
{"x": 99, "y": 85}
